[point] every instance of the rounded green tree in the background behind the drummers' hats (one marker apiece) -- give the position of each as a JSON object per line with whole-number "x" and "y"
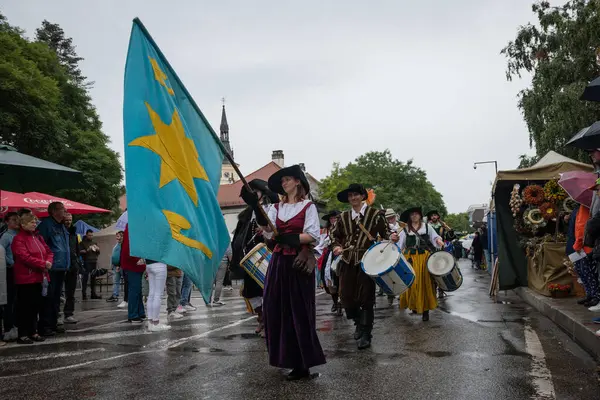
{"x": 397, "y": 185}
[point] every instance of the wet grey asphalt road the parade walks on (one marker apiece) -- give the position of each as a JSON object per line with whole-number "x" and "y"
{"x": 472, "y": 348}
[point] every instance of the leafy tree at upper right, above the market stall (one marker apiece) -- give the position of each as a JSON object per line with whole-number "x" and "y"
{"x": 561, "y": 53}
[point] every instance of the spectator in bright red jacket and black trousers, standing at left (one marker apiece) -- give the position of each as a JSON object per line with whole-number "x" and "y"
{"x": 33, "y": 259}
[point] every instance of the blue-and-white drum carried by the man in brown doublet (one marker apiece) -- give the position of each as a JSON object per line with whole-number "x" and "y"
{"x": 385, "y": 263}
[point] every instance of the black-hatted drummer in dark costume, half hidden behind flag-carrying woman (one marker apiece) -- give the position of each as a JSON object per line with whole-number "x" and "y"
{"x": 246, "y": 236}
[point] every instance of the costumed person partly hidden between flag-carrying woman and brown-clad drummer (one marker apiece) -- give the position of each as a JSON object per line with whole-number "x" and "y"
{"x": 325, "y": 248}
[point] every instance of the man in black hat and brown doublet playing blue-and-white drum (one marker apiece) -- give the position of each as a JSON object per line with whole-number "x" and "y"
{"x": 356, "y": 230}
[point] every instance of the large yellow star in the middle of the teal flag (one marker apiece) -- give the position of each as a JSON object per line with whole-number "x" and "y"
{"x": 178, "y": 154}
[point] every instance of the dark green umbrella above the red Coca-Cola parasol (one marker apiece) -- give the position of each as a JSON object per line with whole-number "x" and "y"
{"x": 22, "y": 173}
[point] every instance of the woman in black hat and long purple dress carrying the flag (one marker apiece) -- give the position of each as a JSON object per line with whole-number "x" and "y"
{"x": 289, "y": 310}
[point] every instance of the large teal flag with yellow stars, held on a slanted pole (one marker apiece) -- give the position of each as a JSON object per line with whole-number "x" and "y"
{"x": 173, "y": 164}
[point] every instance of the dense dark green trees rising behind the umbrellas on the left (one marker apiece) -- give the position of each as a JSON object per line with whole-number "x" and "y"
{"x": 47, "y": 112}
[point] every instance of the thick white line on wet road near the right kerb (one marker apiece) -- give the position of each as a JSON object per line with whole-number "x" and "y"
{"x": 539, "y": 372}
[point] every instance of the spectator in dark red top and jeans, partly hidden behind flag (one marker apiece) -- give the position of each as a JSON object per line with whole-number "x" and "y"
{"x": 135, "y": 268}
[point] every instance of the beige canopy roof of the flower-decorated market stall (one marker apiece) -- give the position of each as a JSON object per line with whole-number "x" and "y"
{"x": 549, "y": 167}
